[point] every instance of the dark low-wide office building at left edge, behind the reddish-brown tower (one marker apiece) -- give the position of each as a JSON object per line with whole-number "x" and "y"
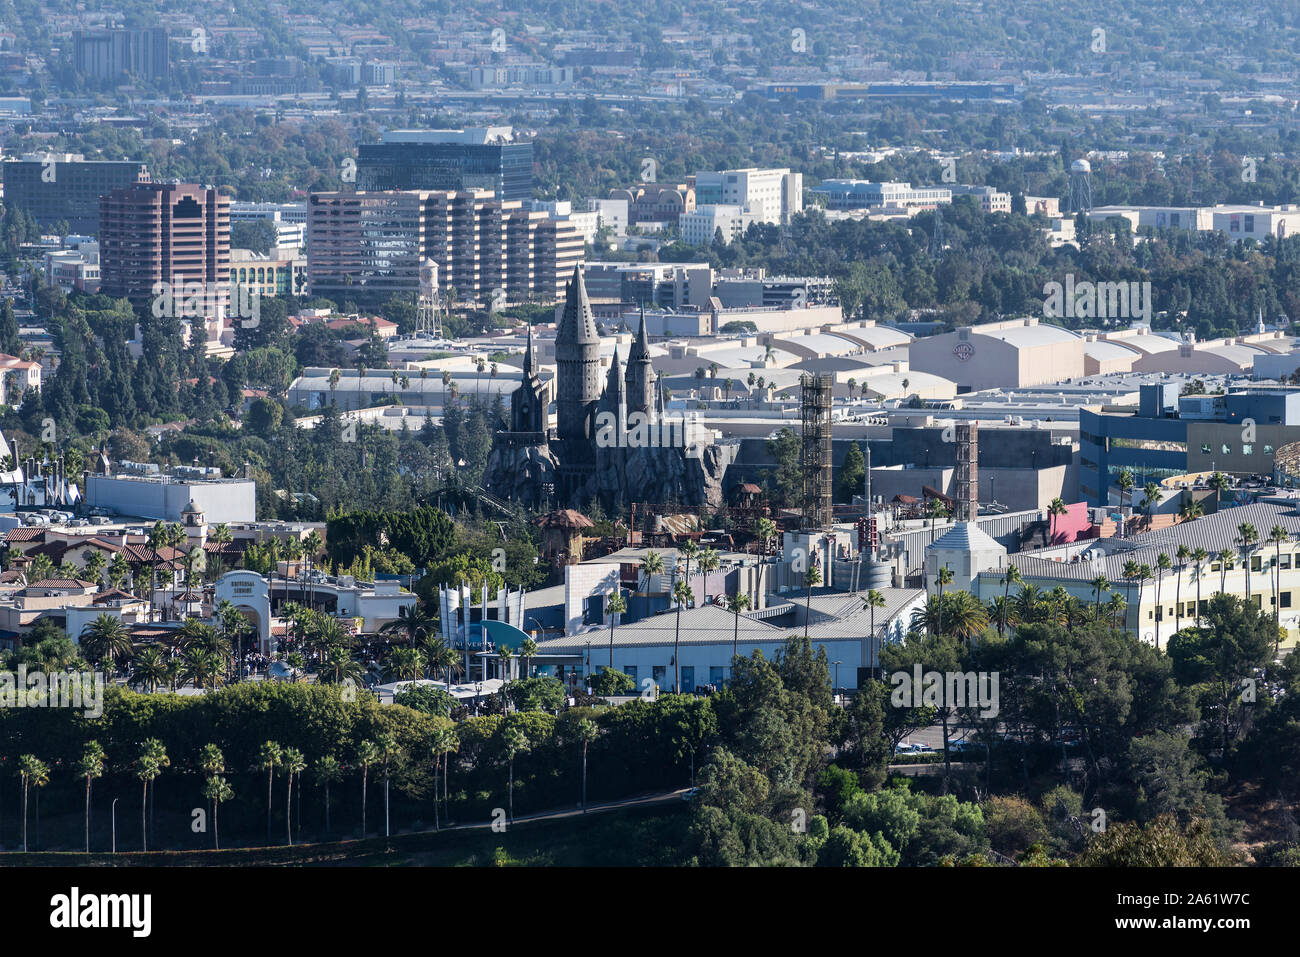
{"x": 66, "y": 188}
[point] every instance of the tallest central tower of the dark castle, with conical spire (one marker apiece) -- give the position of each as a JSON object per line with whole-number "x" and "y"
{"x": 578, "y": 361}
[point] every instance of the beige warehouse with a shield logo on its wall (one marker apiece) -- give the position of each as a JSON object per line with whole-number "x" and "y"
{"x": 1012, "y": 354}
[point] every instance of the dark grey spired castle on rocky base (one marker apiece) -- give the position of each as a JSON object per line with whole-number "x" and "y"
{"x": 614, "y": 441}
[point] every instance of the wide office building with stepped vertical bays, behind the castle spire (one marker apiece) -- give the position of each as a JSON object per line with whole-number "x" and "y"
{"x": 370, "y": 246}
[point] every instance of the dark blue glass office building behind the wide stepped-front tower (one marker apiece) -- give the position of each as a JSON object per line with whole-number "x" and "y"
{"x": 476, "y": 159}
